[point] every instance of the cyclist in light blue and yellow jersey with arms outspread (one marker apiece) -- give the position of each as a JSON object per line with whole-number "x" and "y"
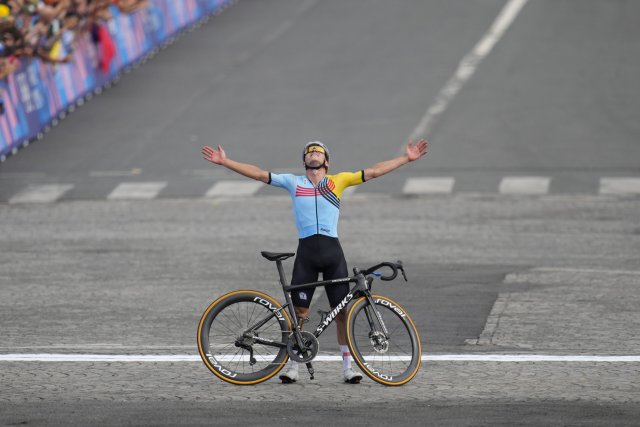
{"x": 316, "y": 206}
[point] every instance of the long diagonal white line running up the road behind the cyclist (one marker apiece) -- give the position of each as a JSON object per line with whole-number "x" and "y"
{"x": 467, "y": 68}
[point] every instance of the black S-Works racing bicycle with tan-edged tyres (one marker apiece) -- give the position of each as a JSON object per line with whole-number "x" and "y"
{"x": 246, "y": 337}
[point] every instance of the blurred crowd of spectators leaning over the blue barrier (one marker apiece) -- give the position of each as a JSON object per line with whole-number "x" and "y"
{"x": 47, "y": 29}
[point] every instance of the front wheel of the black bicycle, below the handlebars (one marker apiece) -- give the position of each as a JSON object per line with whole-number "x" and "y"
{"x": 392, "y": 359}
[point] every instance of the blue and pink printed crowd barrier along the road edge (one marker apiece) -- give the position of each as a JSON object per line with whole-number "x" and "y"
{"x": 38, "y": 94}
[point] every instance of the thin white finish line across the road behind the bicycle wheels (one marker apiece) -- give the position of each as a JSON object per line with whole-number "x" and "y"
{"x": 575, "y": 358}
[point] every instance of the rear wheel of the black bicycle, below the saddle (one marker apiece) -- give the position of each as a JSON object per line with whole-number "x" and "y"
{"x": 220, "y": 330}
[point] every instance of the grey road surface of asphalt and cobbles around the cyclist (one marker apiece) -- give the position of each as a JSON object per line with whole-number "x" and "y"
{"x": 500, "y": 267}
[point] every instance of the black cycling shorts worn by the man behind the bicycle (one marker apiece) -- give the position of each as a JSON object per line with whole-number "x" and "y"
{"x": 319, "y": 254}
